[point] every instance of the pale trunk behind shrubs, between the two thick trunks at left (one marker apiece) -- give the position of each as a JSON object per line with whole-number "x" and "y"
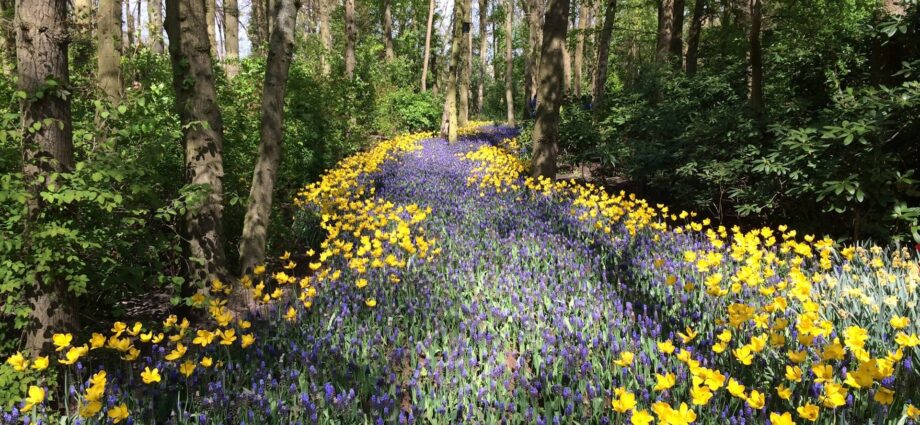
{"x": 108, "y": 57}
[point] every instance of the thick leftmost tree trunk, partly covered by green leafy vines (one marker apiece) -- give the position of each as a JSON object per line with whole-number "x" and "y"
{"x": 41, "y": 52}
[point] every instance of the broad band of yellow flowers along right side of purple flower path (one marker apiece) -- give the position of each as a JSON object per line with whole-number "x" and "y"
{"x": 809, "y": 286}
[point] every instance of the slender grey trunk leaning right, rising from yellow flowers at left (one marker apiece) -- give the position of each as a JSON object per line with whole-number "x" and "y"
{"x": 258, "y": 211}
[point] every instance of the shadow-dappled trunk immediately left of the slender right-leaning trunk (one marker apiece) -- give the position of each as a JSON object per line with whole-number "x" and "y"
{"x": 196, "y": 103}
